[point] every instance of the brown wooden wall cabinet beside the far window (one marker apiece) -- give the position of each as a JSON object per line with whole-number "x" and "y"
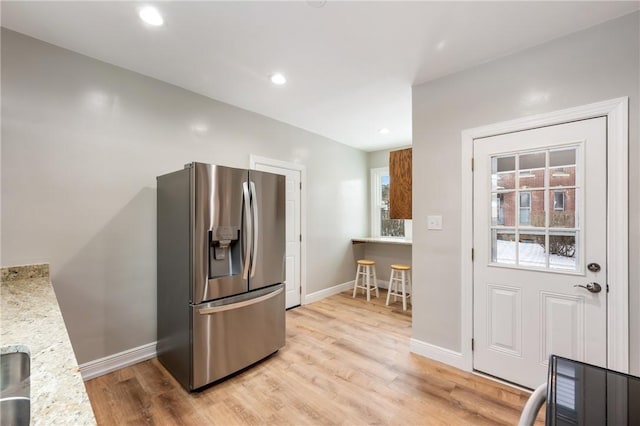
{"x": 400, "y": 176}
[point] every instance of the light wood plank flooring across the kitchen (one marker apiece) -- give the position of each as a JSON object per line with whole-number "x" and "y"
{"x": 346, "y": 361}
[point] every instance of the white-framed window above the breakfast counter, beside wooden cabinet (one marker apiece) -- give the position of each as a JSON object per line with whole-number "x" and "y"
{"x": 381, "y": 225}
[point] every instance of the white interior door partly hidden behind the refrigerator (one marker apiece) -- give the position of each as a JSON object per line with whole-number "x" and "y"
{"x": 293, "y": 231}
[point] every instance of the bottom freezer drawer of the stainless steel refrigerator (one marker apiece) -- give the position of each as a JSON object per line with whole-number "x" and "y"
{"x": 231, "y": 334}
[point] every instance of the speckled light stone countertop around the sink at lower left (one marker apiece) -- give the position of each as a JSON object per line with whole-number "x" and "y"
{"x": 31, "y": 317}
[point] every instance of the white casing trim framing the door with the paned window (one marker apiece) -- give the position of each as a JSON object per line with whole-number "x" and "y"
{"x": 617, "y": 113}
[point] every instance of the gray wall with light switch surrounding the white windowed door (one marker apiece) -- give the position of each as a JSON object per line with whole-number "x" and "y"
{"x": 593, "y": 65}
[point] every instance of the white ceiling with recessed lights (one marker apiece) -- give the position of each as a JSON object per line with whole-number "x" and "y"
{"x": 350, "y": 65}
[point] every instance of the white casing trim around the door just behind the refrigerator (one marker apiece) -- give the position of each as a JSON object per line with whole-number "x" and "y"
{"x": 254, "y": 160}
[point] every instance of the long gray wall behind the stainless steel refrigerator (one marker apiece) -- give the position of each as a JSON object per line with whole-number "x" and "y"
{"x": 82, "y": 143}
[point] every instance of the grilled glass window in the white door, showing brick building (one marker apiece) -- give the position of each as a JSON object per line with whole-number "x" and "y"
{"x": 536, "y": 209}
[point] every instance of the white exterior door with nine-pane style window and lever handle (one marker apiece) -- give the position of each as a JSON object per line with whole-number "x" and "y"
{"x": 540, "y": 230}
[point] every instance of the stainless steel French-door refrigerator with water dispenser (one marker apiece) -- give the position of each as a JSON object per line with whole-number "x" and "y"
{"x": 221, "y": 254}
